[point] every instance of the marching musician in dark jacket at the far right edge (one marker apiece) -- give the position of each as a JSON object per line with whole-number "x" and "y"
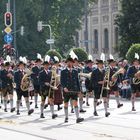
{"x": 131, "y": 74}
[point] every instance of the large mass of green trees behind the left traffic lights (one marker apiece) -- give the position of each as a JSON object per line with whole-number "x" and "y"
{"x": 64, "y": 16}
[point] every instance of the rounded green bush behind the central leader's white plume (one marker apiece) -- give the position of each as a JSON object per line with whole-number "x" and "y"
{"x": 81, "y": 54}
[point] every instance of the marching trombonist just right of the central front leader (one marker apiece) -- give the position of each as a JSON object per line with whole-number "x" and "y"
{"x": 99, "y": 84}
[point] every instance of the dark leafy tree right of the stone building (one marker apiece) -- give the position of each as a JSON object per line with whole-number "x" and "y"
{"x": 129, "y": 25}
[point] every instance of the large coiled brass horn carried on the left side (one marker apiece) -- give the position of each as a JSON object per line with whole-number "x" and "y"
{"x": 25, "y": 82}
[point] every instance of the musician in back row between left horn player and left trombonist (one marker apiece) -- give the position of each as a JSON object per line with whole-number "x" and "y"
{"x": 35, "y": 77}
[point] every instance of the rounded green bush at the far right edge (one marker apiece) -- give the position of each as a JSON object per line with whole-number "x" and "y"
{"x": 135, "y": 48}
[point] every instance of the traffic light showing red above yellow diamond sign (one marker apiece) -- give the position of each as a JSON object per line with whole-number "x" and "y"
{"x": 8, "y": 19}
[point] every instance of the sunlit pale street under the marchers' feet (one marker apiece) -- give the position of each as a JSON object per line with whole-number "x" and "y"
{"x": 122, "y": 124}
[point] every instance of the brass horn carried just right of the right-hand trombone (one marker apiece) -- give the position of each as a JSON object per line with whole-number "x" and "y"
{"x": 114, "y": 77}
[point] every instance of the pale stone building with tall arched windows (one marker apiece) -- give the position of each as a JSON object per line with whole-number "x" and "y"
{"x": 102, "y": 32}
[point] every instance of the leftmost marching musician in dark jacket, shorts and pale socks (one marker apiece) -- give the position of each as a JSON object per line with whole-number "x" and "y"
{"x": 7, "y": 86}
